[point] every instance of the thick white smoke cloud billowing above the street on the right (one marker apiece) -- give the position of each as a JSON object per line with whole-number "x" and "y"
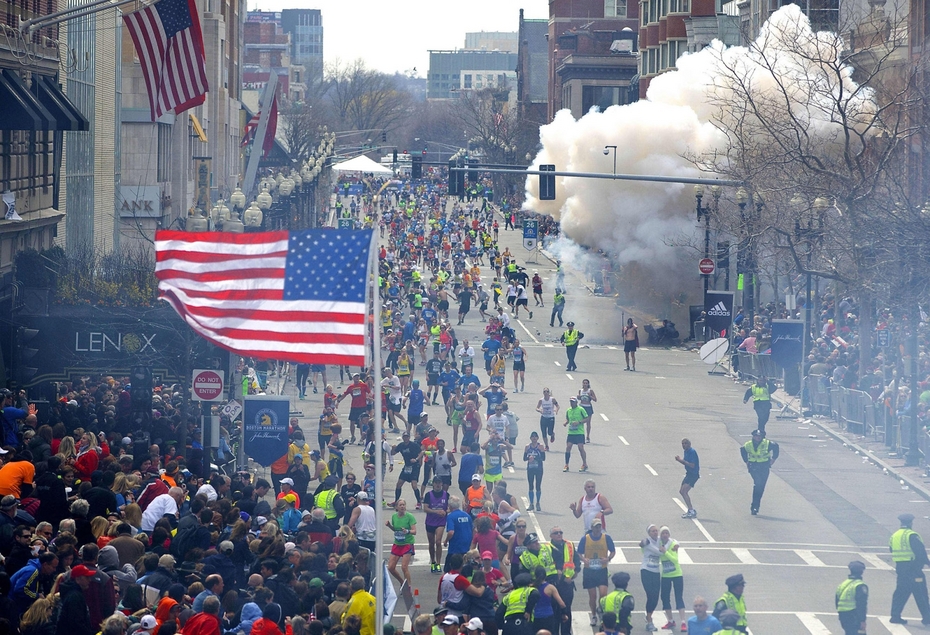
{"x": 635, "y": 221}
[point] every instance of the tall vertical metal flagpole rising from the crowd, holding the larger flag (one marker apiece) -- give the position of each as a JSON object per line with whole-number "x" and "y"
{"x": 378, "y": 427}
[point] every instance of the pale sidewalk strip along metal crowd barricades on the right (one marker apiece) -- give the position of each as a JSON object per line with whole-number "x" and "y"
{"x": 892, "y": 463}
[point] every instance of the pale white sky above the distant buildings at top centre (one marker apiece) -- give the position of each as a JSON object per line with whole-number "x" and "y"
{"x": 396, "y": 36}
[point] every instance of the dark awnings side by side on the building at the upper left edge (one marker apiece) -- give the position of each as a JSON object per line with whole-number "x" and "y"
{"x": 43, "y": 108}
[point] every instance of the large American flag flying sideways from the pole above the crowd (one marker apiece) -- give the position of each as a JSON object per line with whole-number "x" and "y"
{"x": 297, "y": 296}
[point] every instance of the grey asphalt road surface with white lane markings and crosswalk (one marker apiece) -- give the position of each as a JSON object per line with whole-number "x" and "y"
{"x": 823, "y": 506}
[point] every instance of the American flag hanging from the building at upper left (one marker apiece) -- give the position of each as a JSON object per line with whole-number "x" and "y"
{"x": 169, "y": 45}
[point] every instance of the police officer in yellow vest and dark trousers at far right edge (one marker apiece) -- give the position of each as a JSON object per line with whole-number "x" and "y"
{"x": 910, "y": 556}
